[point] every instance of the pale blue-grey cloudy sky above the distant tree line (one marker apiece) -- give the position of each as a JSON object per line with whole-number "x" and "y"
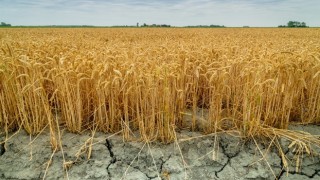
{"x": 231, "y": 13}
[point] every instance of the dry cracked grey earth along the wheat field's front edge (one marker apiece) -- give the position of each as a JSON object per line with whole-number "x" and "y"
{"x": 193, "y": 156}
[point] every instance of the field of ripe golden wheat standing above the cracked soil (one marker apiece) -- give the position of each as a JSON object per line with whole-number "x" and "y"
{"x": 156, "y": 81}
